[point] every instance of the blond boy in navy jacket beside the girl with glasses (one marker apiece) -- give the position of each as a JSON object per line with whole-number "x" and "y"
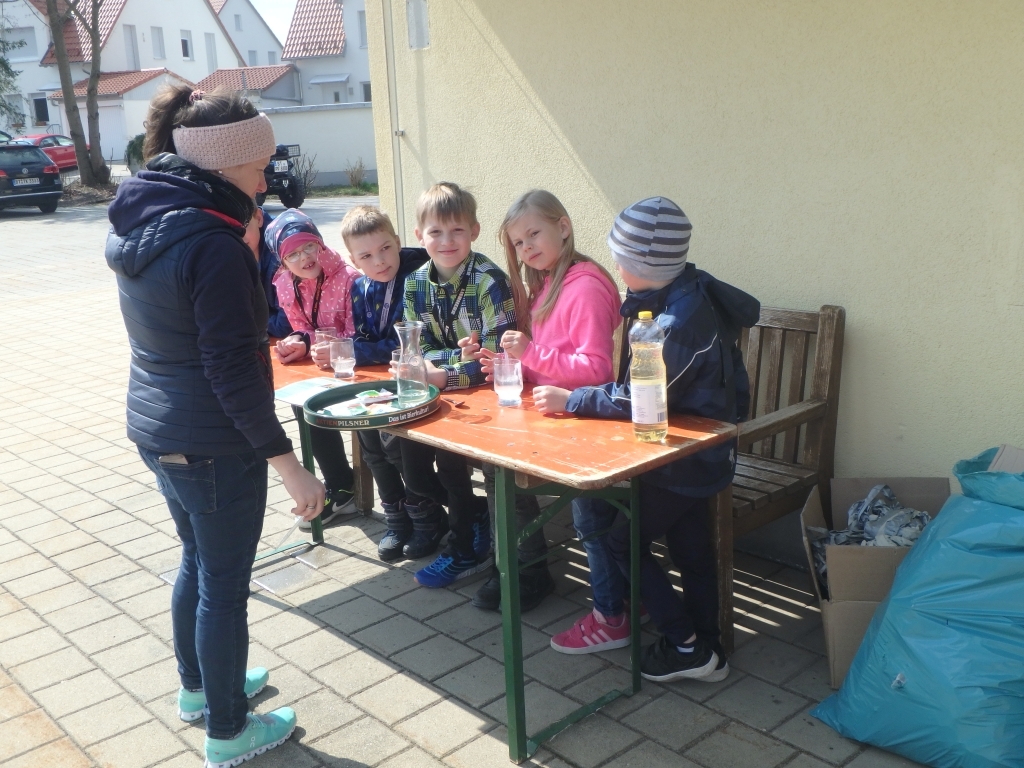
{"x": 416, "y": 525}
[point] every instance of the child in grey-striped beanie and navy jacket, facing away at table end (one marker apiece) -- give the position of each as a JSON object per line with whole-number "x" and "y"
{"x": 702, "y": 319}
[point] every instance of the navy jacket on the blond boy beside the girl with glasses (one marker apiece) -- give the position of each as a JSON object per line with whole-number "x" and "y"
{"x": 373, "y": 348}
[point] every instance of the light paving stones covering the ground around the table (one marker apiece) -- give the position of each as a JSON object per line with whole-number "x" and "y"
{"x": 381, "y": 673}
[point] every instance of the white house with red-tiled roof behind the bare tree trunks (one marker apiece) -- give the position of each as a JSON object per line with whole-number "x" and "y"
{"x": 184, "y": 40}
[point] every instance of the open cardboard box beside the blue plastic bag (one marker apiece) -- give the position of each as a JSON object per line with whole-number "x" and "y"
{"x": 860, "y": 578}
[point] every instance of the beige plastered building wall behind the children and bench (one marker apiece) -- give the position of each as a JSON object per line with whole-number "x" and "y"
{"x": 865, "y": 154}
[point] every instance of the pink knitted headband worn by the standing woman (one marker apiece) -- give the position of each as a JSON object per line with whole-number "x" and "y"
{"x": 217, "y": 147}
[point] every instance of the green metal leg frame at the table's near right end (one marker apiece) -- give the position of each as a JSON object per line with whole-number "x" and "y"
{"x": 522, "y": 745}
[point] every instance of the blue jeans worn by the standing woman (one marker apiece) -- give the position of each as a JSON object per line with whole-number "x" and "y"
{"x": 218, "y": 504}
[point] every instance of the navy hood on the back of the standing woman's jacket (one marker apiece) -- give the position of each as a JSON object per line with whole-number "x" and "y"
{"x": 153, "y": 212}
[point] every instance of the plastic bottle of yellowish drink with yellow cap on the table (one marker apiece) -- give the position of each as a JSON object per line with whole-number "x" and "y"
{"x": 648, "y": 380}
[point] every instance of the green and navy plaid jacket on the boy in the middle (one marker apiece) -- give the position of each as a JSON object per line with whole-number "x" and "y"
{"x": 486, "y": 308}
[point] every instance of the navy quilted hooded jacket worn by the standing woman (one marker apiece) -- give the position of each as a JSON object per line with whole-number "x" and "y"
{"x": 201, "y": 382}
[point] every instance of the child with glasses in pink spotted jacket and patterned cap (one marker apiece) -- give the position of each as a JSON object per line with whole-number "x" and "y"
{"x": 315, "y": 287}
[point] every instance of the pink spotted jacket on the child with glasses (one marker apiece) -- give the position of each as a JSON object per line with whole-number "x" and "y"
{"x": 336, "y": 303}
